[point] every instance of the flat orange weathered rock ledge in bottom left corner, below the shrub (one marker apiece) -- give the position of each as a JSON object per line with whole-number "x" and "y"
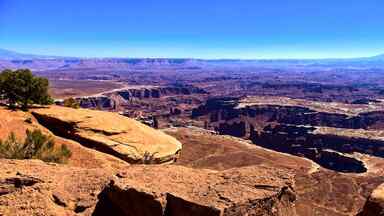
{"x": 32, "y": 187}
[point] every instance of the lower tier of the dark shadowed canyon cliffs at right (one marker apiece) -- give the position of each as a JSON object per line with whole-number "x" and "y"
{"x": 325, "y": 145}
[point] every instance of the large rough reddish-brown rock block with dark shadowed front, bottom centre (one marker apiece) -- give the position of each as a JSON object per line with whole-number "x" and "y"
{"x": 176, "y": 190}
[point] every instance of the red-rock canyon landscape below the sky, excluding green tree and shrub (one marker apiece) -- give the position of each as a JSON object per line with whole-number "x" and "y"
{"x": 179, "y": 135}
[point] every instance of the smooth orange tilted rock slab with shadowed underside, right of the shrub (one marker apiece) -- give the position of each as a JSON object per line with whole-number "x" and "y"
{"x": 110, "y": 133}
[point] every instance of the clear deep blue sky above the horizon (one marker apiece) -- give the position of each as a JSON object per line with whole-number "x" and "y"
{"x": 194, "y": 28}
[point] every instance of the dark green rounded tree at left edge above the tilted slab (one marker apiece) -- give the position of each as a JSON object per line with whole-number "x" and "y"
{"x": 21, "y": 87}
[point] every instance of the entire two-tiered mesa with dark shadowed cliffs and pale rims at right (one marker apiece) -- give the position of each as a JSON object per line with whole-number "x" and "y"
{"x": 323, "y": 132}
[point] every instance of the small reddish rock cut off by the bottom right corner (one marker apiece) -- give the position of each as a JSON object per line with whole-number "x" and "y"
{"x": 375, "y": 203}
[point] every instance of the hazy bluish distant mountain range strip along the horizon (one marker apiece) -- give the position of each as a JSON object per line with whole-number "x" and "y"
{"x": 11, "y": 59}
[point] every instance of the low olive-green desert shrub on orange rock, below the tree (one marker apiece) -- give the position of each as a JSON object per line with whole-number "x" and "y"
{"x": 35, "y": 146}
